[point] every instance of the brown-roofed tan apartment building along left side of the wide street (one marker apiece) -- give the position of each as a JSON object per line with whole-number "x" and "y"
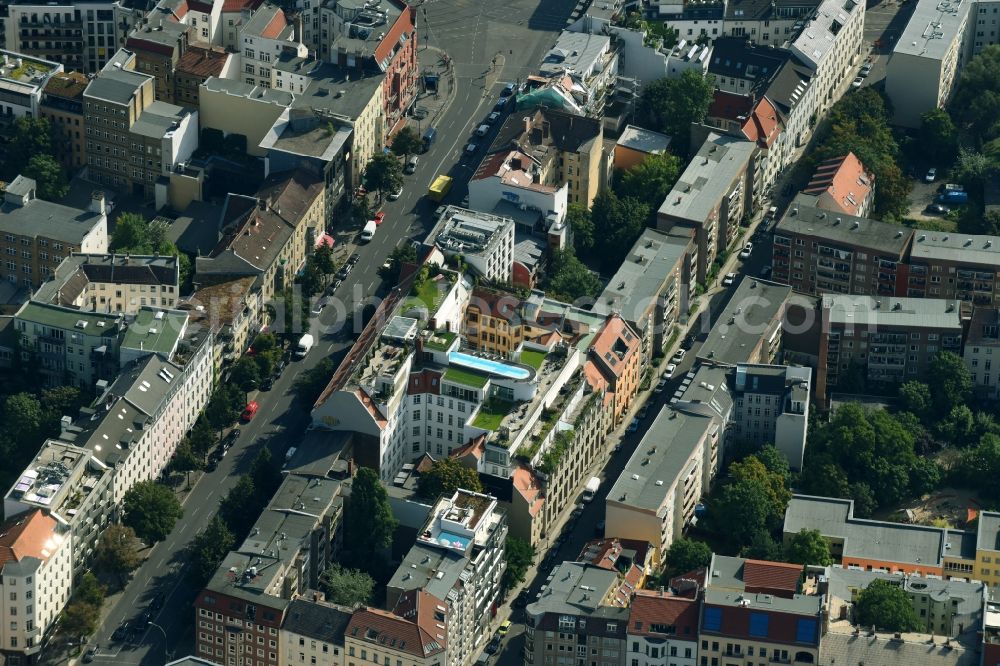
{"x": 268, "y": 235}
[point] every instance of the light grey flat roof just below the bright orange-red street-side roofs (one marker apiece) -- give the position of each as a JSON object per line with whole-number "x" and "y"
{"x": 708, "y": 177}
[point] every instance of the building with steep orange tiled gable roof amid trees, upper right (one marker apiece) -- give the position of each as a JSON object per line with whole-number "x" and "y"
{"x": 843, "y": 186}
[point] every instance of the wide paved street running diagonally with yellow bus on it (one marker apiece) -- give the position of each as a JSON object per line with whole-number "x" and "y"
{"x": 472, "y": 34}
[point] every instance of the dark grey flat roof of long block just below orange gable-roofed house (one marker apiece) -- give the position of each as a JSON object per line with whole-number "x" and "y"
{"x": 804, "y": 219}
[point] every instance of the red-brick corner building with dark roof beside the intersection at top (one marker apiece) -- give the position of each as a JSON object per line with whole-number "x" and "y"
{"x": 383, "y": 36}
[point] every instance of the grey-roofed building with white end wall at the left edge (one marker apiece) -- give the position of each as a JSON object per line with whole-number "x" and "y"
{"x": 38, "y": 234}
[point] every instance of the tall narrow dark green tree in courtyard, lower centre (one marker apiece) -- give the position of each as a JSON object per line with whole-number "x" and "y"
{"x": 368, "y": 519}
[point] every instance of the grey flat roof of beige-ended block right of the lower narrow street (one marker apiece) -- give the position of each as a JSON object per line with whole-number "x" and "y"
{"x": 659, "y": 459}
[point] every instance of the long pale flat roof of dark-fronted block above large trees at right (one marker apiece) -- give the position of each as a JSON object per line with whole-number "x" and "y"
{"x": 846, "y": 309}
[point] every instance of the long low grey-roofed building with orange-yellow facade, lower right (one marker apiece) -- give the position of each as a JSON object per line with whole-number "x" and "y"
{"x": 876, "y": 545}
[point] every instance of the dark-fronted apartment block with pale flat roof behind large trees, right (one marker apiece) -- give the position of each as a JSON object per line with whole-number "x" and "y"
{"x": 890, "y": 340}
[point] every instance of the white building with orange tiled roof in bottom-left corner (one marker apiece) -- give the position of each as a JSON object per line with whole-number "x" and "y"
{"x": 36, "y": 574}
